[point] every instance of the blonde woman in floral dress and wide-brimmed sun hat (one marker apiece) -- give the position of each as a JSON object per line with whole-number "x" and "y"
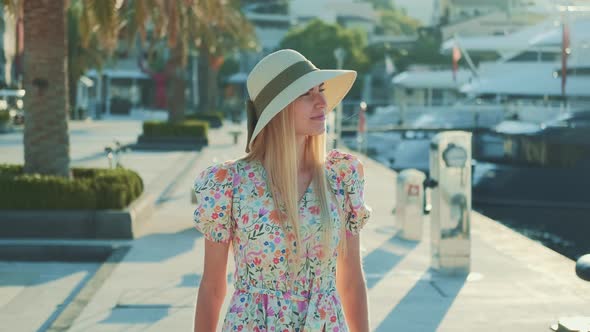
{"x": 291, "y": 213}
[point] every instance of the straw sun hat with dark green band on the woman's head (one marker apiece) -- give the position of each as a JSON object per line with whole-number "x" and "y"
{"x": 281, "y": 77}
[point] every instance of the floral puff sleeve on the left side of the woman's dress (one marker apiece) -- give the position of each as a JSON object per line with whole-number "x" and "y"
{"x": 213, "y": 189}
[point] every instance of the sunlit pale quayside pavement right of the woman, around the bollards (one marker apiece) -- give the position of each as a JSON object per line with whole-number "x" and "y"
{"x": 515, "y": 284}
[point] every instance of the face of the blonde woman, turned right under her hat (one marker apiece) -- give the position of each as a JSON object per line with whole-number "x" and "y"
{"x": 310, "y": 112}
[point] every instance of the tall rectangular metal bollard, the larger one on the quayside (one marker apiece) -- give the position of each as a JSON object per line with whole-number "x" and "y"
{"x": 450, "y": 172}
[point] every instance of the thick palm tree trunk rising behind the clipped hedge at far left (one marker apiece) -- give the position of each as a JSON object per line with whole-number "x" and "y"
{"x": 46, "y": 140}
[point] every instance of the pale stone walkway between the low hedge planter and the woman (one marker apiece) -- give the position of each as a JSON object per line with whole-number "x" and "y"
{"x": 160, "y": 274}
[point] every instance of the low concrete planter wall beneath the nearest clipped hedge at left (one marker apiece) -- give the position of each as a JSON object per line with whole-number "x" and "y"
{"x": 77, "y": 224}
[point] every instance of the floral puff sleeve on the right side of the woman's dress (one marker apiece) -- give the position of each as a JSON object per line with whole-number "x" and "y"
{"x": 350, "y": 174}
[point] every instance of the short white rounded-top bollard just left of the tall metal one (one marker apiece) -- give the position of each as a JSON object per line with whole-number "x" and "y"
{"x": 409, "y": 210}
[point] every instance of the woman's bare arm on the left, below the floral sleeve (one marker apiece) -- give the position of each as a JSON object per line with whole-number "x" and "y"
{"x": 212, "y": 288}
